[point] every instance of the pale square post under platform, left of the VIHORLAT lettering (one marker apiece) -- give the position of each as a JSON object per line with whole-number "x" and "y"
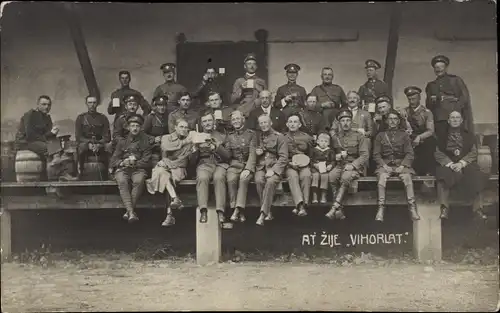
{"x": 208, "y": 238}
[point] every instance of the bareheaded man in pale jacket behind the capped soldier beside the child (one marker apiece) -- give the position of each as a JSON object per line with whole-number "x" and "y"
{"x": 361, "y": 120}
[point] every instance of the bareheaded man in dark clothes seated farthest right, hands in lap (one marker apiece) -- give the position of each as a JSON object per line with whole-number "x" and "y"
{"x": 456, "y": 155}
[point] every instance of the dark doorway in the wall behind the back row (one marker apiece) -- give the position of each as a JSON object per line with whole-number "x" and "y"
{"x": 193, "y": 58}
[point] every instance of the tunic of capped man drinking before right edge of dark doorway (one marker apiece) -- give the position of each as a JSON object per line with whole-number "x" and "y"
{"x": 244, "y": 99}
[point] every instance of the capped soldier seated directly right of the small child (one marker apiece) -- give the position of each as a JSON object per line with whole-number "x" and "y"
{"x": 351, "y": 154}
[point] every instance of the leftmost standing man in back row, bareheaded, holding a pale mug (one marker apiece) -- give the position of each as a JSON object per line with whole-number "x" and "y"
{"x": 117, "y": 104}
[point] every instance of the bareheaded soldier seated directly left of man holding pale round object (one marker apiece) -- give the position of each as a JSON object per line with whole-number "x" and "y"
{"x": 272, "y": 158}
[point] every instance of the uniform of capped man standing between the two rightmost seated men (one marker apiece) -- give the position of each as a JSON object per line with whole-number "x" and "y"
{"x": 422, "y": 124}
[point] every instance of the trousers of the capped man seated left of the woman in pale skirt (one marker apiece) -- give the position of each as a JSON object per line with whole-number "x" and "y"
{"x": 124, "y": 178}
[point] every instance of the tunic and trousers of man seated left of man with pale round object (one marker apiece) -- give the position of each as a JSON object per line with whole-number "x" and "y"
{"x": 275, "y": 158}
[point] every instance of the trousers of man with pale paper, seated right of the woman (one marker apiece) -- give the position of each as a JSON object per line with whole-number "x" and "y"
{"x": 204, "y": 174}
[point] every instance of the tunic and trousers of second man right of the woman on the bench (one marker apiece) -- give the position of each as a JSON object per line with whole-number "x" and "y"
{"x": 241, "y": 145}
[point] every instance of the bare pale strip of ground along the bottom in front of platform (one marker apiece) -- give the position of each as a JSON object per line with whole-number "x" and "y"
{"x": 118, "y": 285}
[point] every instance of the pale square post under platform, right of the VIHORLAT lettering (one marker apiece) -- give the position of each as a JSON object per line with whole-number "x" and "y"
{"x": 427, "y": 233}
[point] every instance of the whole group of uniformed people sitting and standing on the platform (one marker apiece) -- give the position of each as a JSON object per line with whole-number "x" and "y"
{"x": 317, "y": 141}
